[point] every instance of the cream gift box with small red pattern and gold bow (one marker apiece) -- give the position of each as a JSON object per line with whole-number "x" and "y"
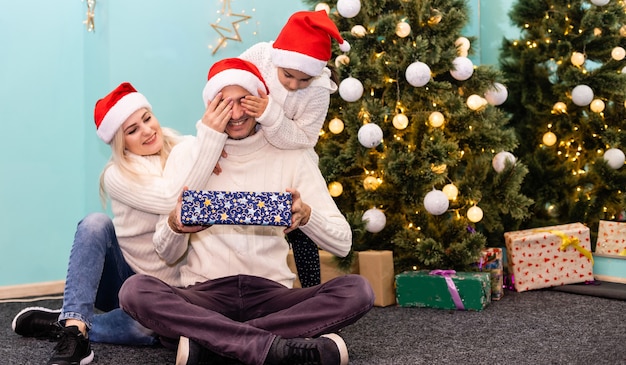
{"x": 549, "y": 256}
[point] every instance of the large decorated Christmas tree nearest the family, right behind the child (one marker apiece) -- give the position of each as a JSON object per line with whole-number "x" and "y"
{"x": 415, "y": 149}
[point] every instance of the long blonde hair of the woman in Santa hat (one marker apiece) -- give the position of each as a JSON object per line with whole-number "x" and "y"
{"x": 120, "y": 158}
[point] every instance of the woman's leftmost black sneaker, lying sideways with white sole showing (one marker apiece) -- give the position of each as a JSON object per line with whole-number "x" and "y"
{"x": 38, "y": 322}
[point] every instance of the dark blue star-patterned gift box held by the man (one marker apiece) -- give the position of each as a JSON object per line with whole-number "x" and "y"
{"x": 202, "y": 207}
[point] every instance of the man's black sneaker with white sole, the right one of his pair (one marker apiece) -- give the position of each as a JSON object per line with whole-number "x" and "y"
{"x": 325, "y": 350}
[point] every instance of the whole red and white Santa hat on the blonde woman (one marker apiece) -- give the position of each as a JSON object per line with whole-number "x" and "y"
{"x": 113, "y": 110}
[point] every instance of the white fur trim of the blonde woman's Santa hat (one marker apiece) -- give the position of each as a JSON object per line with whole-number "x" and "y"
{"x": 117, "y": 115}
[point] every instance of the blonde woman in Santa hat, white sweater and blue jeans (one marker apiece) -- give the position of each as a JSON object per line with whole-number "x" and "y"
{"x": 106, "y": 252}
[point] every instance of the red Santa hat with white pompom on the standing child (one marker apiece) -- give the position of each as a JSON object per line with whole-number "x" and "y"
{"x": 304, "y": 43}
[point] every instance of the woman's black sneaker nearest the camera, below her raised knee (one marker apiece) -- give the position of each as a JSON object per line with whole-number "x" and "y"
{"x": 73, "y": 348}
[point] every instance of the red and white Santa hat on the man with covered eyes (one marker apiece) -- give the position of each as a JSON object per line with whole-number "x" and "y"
{"x": 233, "y": 71}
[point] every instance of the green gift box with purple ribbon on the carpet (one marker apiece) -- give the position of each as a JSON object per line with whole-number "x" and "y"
{"x": 444, "y": 289}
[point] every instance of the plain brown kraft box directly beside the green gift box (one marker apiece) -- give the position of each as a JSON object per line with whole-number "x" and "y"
{"x": 377, "y": 268}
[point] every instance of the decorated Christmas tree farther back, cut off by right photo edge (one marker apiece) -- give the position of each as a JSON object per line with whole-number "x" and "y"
{"x": 567, "y": 90}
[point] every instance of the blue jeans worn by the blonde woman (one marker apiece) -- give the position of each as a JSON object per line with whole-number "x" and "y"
{"x": 96, "y": 271}
